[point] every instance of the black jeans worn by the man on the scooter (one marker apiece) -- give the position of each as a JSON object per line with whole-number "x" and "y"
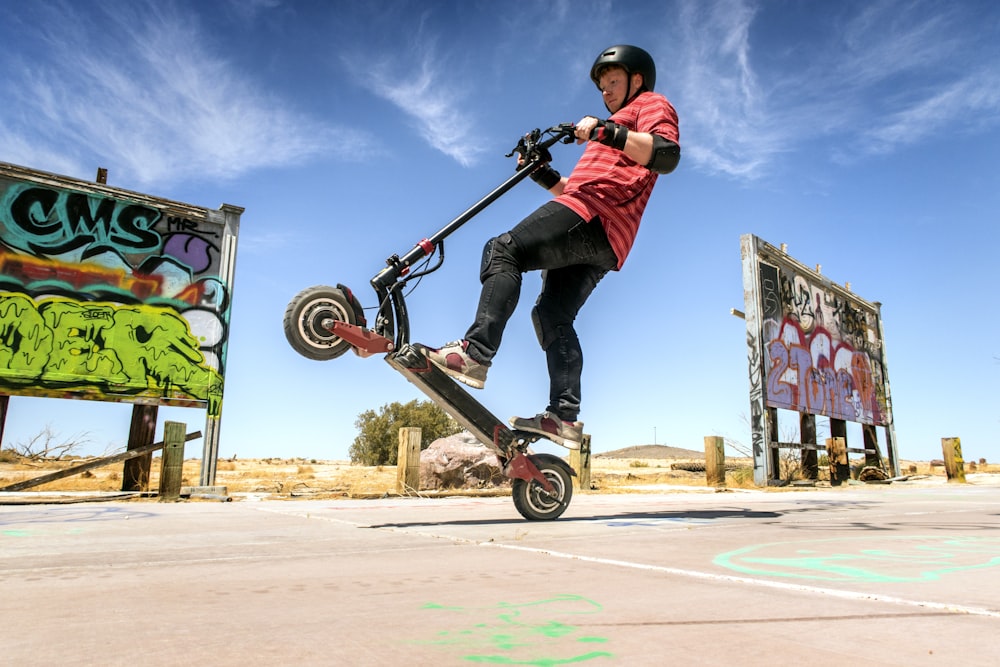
{"x": 573, "y": 255}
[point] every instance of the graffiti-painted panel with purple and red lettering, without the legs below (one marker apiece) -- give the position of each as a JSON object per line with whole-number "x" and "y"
{"x": 820, "y": 345}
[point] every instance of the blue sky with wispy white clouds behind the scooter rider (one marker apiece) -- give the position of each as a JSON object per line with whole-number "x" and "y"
{"x": 862, "y": 134}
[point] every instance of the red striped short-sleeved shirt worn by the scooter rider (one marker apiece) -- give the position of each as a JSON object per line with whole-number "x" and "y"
{"x": 608, "y": 184}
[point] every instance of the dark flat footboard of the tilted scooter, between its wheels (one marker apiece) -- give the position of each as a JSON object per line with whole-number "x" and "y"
{"x": 453, "y": 399}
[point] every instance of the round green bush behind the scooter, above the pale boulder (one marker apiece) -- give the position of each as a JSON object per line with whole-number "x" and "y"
{"x": 378, "y": 433}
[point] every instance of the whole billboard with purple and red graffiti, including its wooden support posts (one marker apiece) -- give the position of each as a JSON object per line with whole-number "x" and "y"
{"x": 814, "y": 348}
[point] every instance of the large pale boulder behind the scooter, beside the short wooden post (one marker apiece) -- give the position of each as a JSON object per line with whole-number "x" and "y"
{"x": 459, "y": 462}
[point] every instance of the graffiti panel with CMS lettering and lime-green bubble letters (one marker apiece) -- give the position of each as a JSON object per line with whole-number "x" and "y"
{"x": 112, "y": 295}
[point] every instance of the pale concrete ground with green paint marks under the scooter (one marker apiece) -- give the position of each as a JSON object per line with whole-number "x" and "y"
{"x": 900, "y": 574}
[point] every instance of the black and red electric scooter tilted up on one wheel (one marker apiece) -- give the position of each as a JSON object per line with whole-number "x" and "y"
{"x": 322, "y": 323}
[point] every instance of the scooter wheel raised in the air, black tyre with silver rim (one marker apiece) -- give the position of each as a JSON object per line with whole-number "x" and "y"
{"x": 309, "y": 322}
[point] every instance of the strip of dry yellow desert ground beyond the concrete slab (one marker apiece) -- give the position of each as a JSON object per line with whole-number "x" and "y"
{"x": 629, "y": 470}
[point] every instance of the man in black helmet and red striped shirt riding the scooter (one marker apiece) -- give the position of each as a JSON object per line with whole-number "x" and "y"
{"x": 575, "y": 239}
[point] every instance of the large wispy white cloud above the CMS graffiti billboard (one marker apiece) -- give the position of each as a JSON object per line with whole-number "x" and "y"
{"x": 155, "y": 104}
